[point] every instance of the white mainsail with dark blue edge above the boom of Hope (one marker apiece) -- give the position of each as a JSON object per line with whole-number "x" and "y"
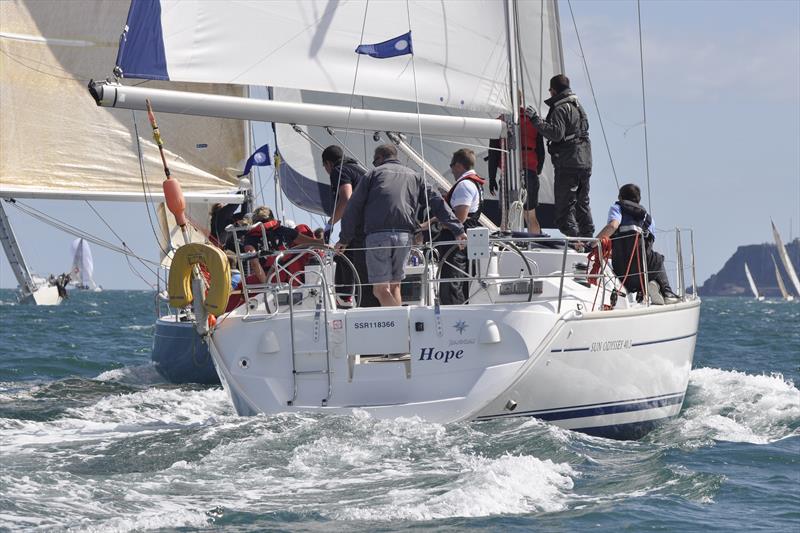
{"x": 460, "y": 48}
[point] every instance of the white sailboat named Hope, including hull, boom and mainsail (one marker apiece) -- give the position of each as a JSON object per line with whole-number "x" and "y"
{"x": 534, "y": 340}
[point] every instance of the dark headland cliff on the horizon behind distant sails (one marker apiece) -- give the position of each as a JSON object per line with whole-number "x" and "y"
{"x": 731, "y": 281}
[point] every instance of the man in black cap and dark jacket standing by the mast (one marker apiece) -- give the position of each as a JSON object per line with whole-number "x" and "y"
{"x": 566, "y": 129}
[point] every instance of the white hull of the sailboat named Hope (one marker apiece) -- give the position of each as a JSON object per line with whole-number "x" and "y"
{"x": 612, "y": 373}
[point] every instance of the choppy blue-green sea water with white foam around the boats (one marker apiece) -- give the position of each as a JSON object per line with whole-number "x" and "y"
{"x": 92, "y": 440}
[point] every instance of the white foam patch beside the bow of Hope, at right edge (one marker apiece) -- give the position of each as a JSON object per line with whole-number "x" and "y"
{"x": 734, "y": 406}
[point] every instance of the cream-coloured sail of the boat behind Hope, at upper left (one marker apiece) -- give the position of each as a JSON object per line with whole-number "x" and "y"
{"x": 55, "y": 141}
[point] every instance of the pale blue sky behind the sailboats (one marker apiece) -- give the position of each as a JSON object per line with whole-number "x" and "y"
{"x": 722, "y": 88}
